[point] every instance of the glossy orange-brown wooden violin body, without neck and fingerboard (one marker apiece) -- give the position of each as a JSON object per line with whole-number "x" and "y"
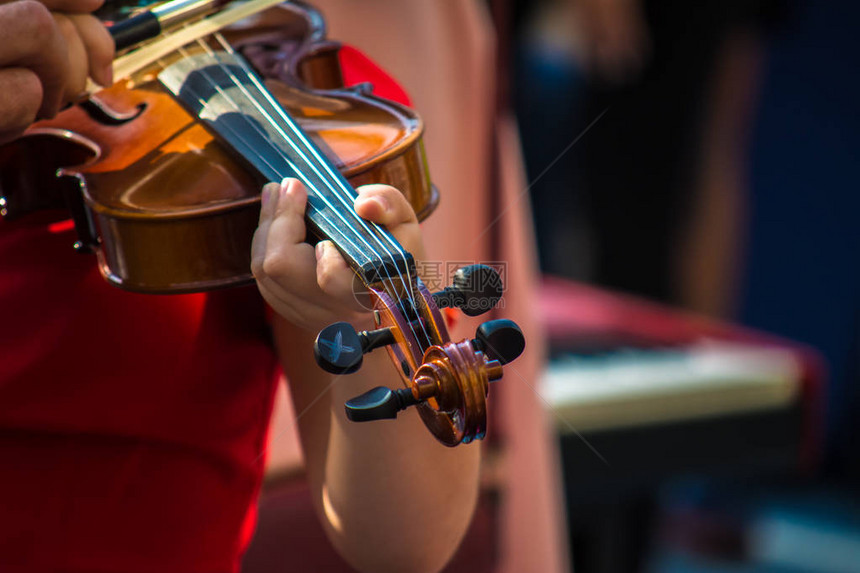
{"x": 163, "y": 204}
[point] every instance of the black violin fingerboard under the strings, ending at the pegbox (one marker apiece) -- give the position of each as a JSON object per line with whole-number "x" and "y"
{"x": 224, "y": 93}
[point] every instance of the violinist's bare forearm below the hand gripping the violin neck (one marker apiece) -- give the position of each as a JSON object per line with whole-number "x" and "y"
{"x": 390, "y": 496}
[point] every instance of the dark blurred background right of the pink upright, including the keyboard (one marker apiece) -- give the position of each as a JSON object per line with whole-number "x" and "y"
{"x": 701, "y": 156}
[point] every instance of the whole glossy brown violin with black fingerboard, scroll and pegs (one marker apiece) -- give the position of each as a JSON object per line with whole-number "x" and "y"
{"x": 161, "y": 173}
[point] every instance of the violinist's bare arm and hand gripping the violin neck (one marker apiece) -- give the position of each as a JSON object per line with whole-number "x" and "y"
{"x": 390, "y": 497}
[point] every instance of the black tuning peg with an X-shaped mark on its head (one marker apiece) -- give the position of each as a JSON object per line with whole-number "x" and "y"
{"x": 339, "y": 349}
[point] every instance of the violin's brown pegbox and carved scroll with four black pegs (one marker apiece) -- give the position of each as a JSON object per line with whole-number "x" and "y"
{"x": 448, "y": 382}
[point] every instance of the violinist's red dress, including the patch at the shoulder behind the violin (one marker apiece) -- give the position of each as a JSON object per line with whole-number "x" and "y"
{"x": 131, "y": 426}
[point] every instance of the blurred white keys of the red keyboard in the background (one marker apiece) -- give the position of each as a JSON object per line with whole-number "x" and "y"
{"x": 630, "y": 387}
